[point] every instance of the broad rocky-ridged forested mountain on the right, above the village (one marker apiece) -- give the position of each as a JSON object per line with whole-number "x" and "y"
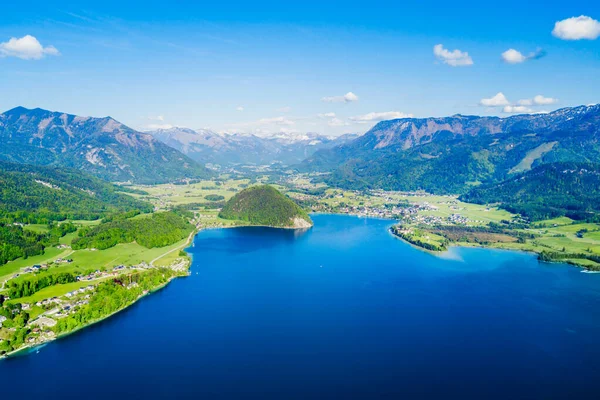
{"x": 454, "y": 153}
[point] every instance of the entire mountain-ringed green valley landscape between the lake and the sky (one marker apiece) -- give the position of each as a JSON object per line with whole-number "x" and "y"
{"x": 78, "y": 249}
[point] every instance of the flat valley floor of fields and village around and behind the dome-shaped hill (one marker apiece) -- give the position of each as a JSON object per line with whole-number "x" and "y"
{"x": 439, "y": 220}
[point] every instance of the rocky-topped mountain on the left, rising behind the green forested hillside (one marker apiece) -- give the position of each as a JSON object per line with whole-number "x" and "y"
{"x": 101, "y": 146}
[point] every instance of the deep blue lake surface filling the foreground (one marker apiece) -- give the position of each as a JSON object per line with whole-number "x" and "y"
{"x": 344, "y": 310}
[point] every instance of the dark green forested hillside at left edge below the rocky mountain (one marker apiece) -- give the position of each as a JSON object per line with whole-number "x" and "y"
{"x": 43, "y": 195}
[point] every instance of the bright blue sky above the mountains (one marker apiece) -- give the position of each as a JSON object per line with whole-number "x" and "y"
{"x": 286, "y": 66}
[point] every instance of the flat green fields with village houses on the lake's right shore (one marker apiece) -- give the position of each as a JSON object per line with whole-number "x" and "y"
{"x": 559, "y": 235}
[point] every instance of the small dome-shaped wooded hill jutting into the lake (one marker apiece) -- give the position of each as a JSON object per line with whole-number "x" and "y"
{"x": 265, "y": 205}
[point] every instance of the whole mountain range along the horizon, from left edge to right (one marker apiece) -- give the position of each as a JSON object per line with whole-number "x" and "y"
{"x": 440, "y": 155}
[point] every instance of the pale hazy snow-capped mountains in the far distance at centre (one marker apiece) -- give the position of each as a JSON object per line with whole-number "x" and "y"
{"x": 206, "y": 146}
